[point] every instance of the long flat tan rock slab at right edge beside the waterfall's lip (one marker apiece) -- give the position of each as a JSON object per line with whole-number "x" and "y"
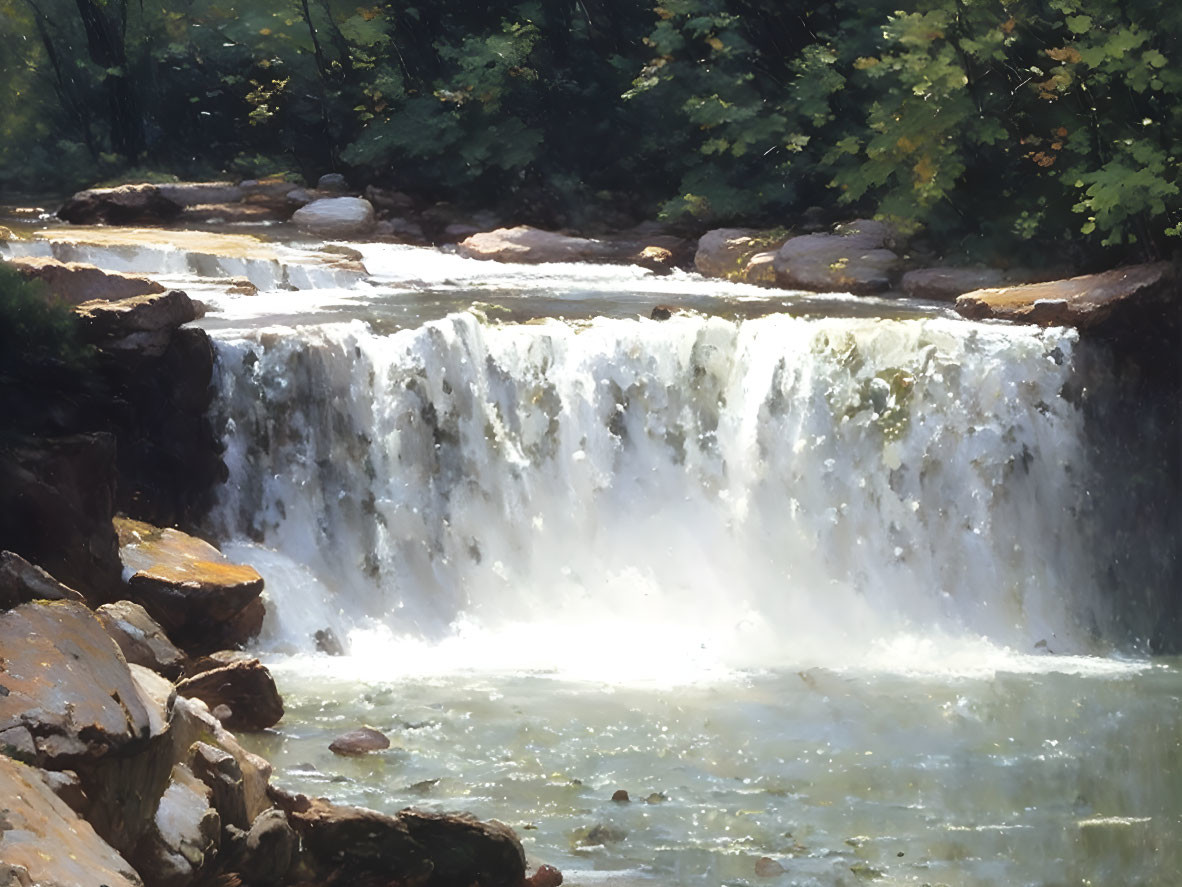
{"x": 1089, "y": 303}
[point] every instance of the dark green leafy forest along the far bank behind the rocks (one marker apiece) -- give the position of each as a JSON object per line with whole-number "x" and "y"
{"x": 976, "y": 121}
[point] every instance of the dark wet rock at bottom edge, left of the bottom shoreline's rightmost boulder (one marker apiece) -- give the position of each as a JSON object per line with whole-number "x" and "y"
{"x": 345, "y": 845}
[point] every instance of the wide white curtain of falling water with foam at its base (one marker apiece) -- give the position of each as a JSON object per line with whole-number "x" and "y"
{"x": 772, "y": 491}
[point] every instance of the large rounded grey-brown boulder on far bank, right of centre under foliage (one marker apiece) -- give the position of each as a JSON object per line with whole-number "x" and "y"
{"x": 855, "y": 260}
